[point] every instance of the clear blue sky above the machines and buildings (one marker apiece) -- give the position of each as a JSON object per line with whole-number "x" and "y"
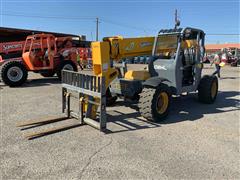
{"x": 129, "y": 18}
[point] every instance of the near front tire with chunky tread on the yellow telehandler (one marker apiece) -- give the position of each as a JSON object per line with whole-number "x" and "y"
{"x": 148, "y": 103}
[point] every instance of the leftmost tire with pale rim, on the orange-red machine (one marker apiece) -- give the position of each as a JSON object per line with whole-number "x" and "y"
{"x": 14, "y": 73}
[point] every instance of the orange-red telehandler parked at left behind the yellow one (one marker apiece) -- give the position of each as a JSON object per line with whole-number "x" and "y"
{"x": 44, "y": 54}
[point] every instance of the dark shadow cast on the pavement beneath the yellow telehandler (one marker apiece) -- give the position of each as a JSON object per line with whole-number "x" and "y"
{"x": 184, "y": 108}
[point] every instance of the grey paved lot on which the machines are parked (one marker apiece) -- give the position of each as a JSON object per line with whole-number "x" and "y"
{"x": 196, "y": 141}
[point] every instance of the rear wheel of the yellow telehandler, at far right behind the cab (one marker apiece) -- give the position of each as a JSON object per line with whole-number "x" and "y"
{"x": 207, "y": 93}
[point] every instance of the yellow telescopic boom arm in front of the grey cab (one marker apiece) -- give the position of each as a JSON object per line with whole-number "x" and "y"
{"x": 116, "y": 48}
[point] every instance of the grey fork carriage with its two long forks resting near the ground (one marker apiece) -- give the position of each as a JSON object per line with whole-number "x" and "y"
{"x": 86, "y": 89}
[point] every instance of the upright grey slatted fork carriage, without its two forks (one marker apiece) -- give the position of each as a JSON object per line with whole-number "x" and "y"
{"x": 91, "y": 96}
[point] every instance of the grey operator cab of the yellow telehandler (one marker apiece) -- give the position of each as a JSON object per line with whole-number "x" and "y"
{"x": 178, "y": 55}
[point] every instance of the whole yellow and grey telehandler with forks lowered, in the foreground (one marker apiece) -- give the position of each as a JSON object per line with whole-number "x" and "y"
{"x": 174, "y": 68}
